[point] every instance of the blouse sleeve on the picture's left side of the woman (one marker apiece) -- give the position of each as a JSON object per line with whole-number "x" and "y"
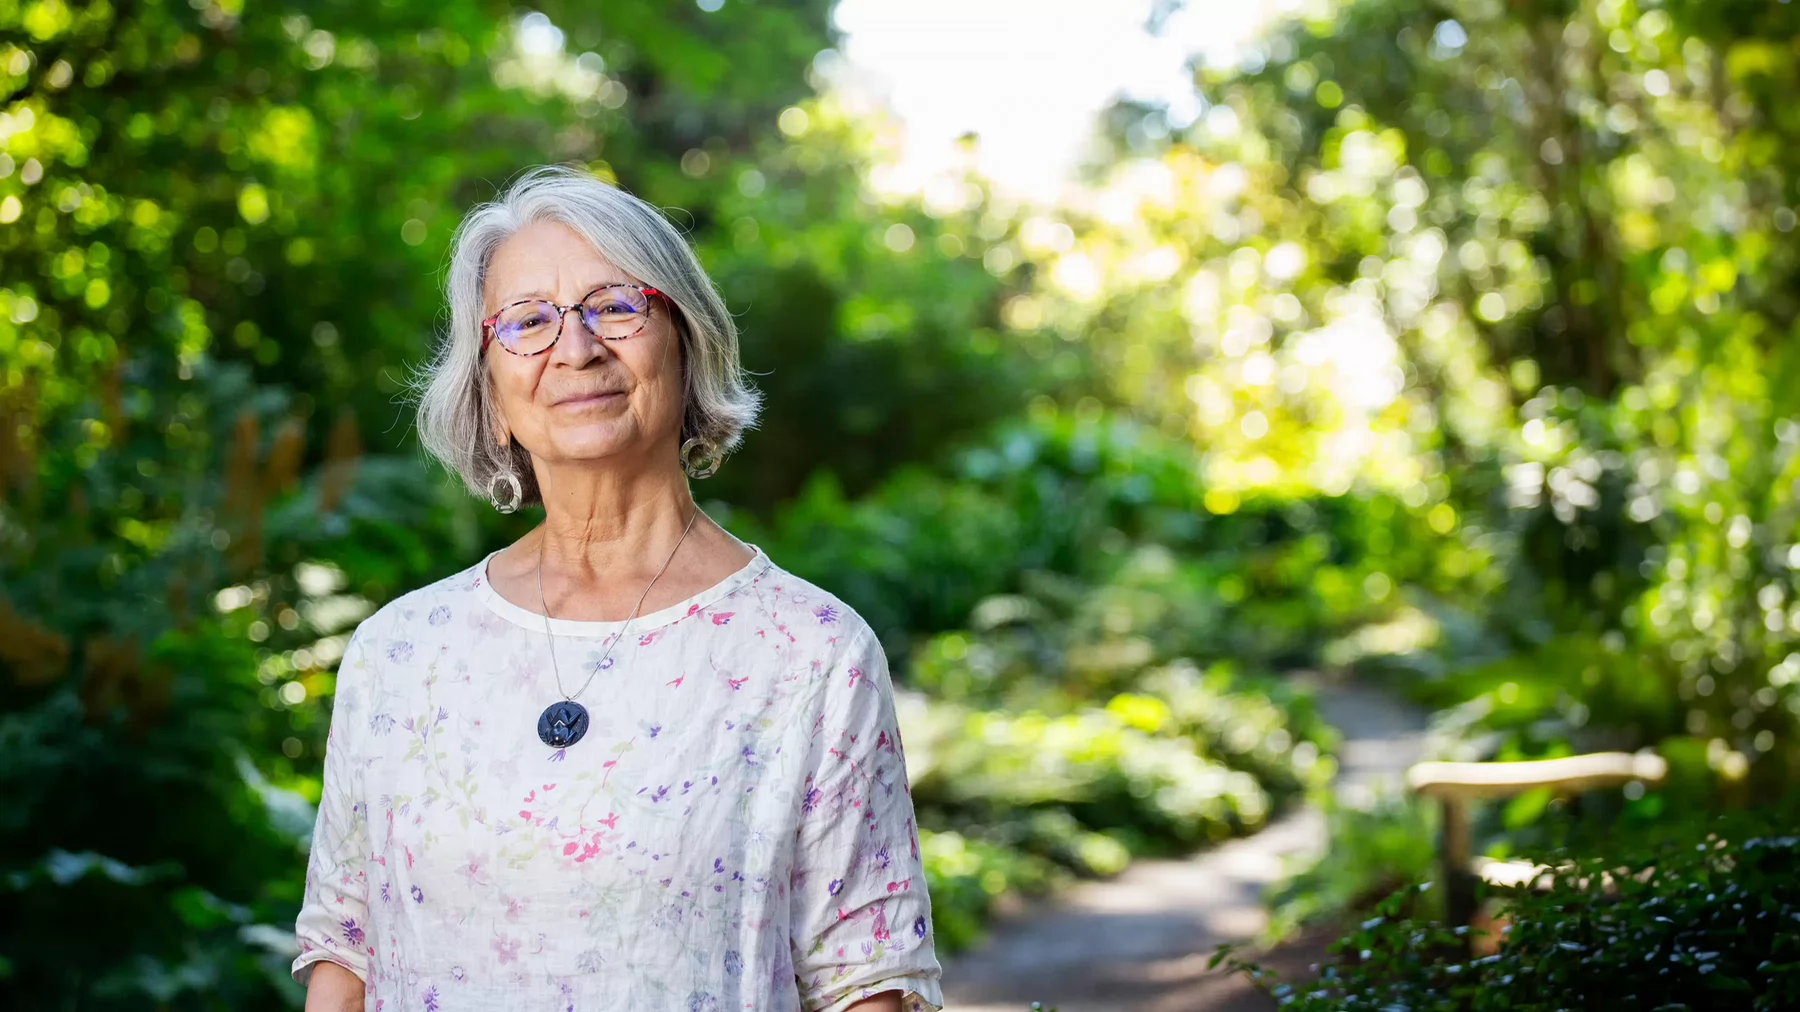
{"x": 336, "y": 908}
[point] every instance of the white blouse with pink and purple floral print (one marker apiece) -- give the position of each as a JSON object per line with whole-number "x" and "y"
{"x": 735, "y": 833}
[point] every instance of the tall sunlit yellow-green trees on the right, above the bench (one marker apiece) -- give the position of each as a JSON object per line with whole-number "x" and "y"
{"x": 1529, "y": 269}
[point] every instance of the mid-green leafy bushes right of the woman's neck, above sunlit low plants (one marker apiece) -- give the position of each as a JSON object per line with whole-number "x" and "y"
{"x": 1092, "y": 518}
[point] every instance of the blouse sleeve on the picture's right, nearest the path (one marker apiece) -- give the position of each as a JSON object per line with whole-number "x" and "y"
{"x": 861, "y": 916}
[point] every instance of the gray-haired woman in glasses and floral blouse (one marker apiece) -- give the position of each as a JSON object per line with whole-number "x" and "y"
{"x": 625, "y": 763}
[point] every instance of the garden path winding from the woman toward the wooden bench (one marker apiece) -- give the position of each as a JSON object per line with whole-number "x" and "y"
{"x": 1140, "y": 943}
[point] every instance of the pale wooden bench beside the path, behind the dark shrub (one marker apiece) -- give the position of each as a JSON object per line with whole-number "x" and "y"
{"x": 1459, "y": 784}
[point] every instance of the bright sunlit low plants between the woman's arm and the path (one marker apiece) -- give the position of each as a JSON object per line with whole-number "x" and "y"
{"x": 1023, "y": 800}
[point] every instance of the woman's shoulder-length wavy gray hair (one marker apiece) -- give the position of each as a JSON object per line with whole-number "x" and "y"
{"x": 456, "y": 404}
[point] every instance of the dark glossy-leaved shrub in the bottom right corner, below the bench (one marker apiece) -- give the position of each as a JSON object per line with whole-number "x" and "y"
{"x": 1702, "y": 923}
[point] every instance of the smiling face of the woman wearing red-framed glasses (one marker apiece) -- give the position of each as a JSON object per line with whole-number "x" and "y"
{"x": 584, "y": 399}
